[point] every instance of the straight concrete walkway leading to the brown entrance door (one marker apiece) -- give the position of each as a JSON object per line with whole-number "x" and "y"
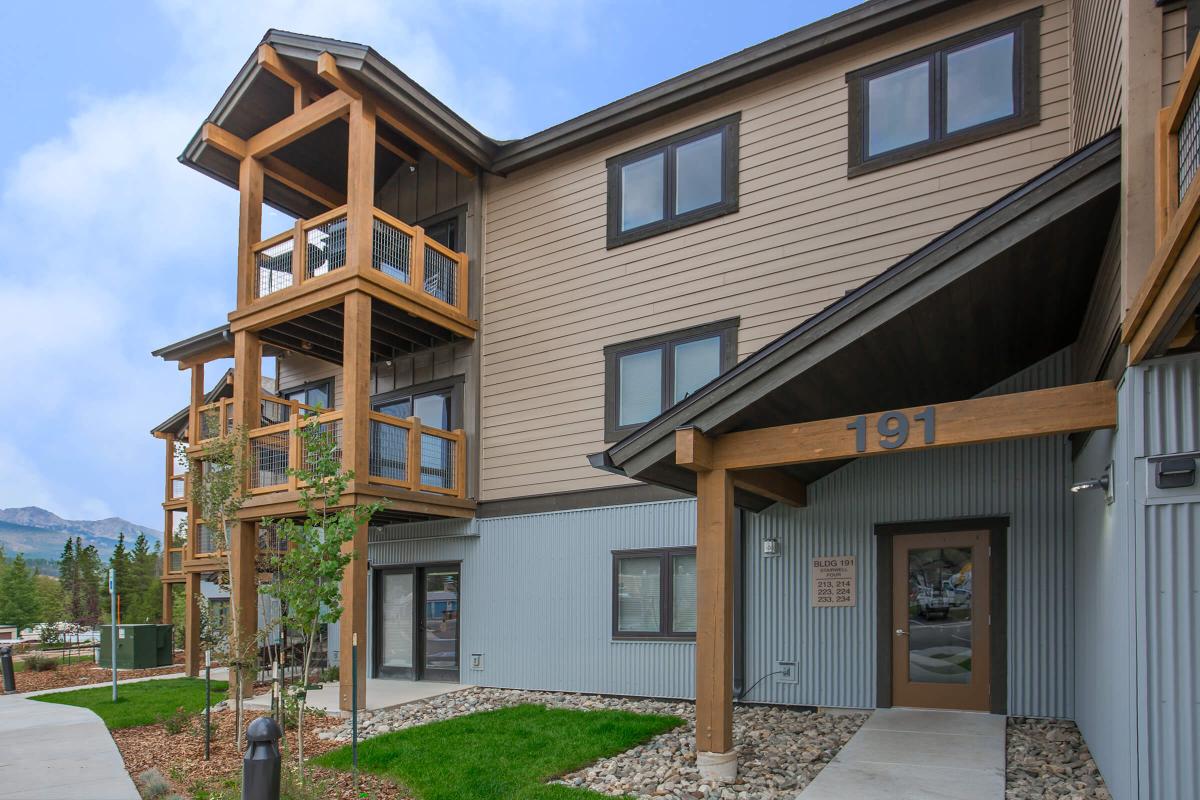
{"x": 917, "y": 755}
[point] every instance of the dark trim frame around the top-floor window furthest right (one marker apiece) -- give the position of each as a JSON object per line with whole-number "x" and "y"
{"x": 1027, "y": 85}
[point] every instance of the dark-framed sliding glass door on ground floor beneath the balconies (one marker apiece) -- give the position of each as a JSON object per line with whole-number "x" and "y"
{"x": 417, "y": 612}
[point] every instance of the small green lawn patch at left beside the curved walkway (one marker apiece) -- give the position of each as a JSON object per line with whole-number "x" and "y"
{"x": 142, "y": 703}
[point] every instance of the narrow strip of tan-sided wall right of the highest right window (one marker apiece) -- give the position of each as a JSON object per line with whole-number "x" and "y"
{"x": 1097, "y": 59}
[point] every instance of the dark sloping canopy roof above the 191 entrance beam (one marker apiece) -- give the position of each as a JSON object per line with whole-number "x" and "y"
{"x": 999, "y": 292}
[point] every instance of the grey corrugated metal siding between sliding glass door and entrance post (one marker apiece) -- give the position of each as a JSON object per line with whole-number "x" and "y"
{"x": 537, "y": 597}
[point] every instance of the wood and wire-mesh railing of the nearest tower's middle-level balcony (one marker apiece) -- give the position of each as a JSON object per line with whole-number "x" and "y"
{"x": 404, "y": 454}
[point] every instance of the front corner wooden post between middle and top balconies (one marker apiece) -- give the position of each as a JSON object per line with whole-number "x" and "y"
{"x": 357, "y": 370}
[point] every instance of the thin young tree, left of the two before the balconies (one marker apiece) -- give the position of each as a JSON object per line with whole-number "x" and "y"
{"x": 219, "y": 491}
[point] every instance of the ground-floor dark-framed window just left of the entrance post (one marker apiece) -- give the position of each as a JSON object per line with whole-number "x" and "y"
{"x": 655, "y": 594}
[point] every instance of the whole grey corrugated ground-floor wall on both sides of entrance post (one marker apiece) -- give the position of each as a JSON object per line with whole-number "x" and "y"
{"x": 537, "y": 590}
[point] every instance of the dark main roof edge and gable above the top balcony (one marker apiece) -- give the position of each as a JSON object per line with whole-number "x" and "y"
{"x": 254, "y": 100}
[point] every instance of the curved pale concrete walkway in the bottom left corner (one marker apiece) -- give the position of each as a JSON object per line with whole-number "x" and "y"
{"x": 51, "y": 751}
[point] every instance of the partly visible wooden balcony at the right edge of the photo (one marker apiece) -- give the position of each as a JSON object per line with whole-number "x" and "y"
{"x": 1163, "y": 315}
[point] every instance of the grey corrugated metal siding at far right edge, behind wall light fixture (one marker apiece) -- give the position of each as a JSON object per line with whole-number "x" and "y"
{"x": 1166, "y": 398}
